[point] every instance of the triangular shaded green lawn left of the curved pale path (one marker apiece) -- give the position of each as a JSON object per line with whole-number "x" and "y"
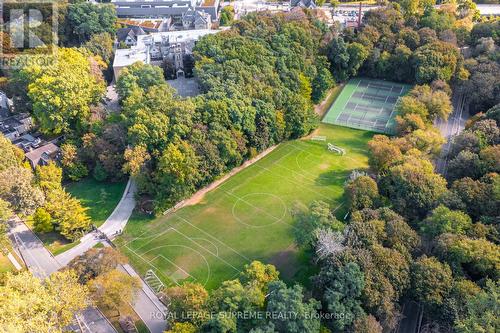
{"x": 100, "y": 198}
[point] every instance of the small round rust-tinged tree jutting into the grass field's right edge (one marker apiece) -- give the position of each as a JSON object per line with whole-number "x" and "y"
{"x": 361, "y": 193}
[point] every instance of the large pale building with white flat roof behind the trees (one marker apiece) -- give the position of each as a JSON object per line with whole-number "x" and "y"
{"x": 157, "y": 48}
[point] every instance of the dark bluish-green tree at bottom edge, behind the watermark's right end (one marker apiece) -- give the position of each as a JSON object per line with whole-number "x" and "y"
{"x": 343, "y": 295}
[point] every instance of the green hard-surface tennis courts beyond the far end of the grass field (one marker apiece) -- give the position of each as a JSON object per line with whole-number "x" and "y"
{"x": 367, "y": 104}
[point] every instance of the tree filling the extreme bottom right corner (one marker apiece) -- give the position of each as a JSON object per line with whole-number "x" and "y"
{"x": 482, "y": 314}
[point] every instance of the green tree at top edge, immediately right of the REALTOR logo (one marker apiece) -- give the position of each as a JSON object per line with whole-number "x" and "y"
{"x": 85, "y": 20}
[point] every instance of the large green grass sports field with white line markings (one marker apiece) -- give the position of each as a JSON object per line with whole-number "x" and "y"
{"x": 248, "y": 217}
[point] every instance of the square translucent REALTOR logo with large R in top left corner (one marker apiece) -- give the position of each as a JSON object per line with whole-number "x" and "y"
{"x": 27, "y": 28}
